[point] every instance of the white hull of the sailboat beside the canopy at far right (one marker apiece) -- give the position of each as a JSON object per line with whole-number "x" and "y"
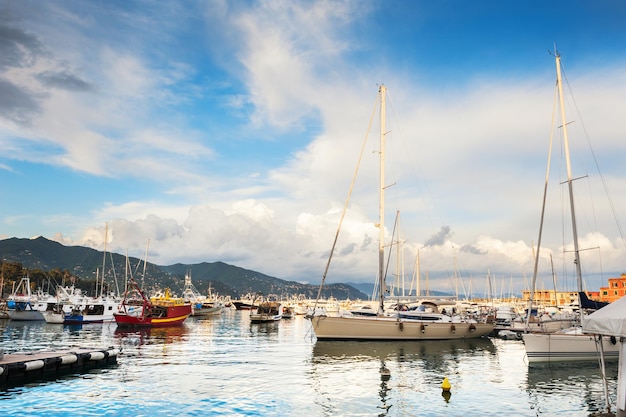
{"x": 562, "y": 347}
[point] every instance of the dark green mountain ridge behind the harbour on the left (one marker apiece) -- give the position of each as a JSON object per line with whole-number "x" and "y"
{"x": 41, "y": 255}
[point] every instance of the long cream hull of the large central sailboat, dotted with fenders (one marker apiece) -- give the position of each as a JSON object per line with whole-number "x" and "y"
{"x": 389, "y": 328}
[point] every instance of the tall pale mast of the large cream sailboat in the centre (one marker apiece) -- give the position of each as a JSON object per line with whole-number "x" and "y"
{"x": 381, "y": 207}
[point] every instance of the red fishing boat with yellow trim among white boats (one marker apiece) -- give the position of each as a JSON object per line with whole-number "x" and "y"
{"x": 137, "y": 310}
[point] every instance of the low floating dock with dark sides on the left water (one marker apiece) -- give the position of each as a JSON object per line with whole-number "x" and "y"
{"x": 16, "y": 368}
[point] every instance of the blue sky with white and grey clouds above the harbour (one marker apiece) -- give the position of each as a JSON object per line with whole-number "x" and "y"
{"x": 203, "y": 131}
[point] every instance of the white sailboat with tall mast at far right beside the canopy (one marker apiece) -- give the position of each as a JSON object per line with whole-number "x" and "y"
{"x": 569, "y": 344}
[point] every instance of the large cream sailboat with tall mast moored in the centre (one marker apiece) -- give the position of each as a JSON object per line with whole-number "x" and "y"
{"x": 391, "y": 326}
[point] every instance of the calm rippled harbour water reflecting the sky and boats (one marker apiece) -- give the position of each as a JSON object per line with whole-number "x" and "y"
{"x": 225, "y": 366}
